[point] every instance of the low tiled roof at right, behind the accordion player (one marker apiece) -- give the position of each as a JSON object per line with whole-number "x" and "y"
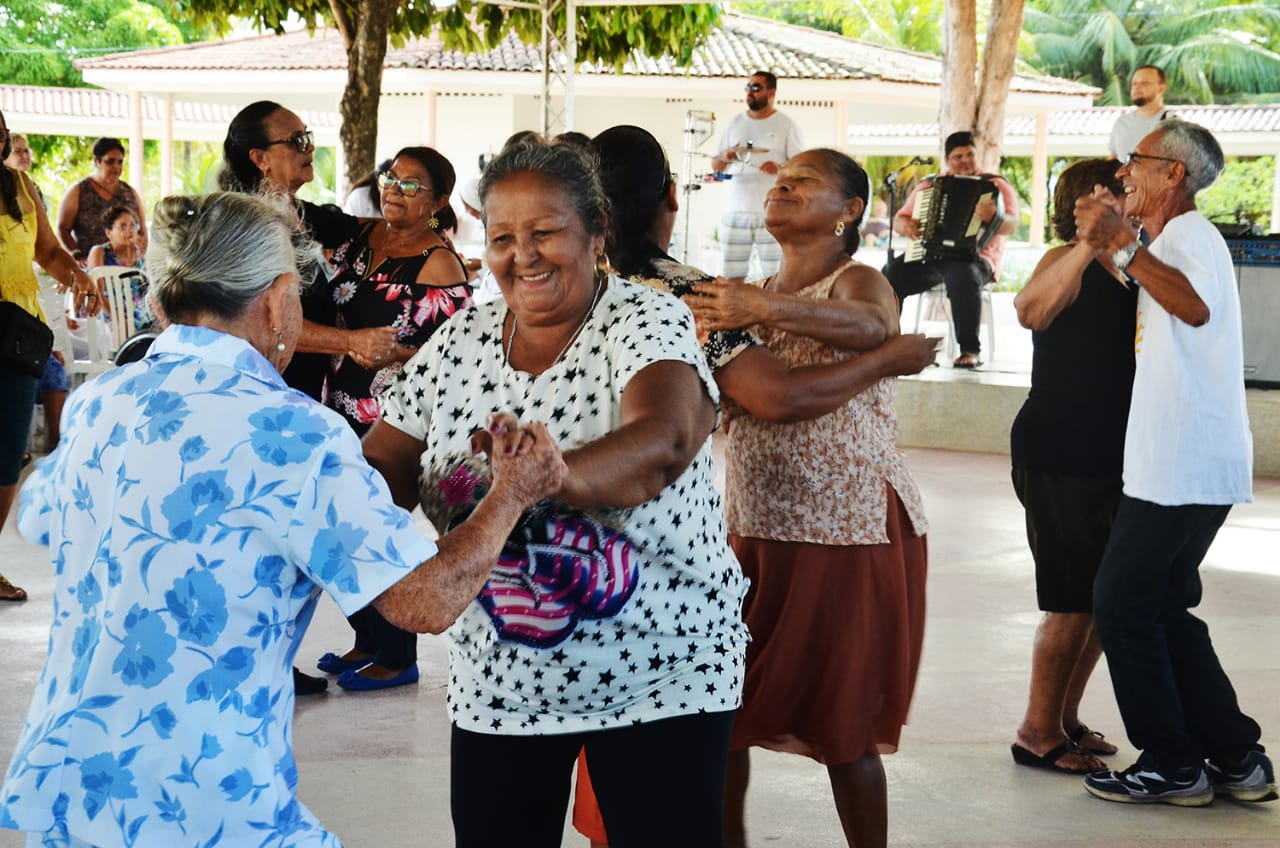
{"x": 1224, "y": 120}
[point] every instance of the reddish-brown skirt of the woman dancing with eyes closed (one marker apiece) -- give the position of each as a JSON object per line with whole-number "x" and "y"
{"x": 836, "y": 636}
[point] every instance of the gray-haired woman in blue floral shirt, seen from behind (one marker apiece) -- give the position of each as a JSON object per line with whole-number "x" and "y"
{"x": 195, "y": 510}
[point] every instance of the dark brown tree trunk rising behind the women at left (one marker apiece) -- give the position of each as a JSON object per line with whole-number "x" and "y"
{"x": 364, "y": 30}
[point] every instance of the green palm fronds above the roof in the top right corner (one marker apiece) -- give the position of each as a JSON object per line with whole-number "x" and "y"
{"x": 1212, "y": 51}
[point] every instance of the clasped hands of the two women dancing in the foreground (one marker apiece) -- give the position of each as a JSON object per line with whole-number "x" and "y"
{"x": 524, "y": 458}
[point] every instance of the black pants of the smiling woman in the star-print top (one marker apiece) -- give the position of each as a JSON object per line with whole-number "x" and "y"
{"x": 660, "y": 783}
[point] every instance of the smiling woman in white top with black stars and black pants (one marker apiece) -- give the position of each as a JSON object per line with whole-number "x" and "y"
{"x": 612, "y": 619}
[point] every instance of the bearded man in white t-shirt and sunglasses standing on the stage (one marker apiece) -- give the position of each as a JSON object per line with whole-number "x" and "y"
{"x": 752, "y": 149}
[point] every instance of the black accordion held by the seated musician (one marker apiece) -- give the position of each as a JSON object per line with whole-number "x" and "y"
{"x": 949, "y": 225}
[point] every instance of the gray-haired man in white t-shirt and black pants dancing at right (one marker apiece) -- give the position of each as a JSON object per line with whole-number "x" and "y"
{"x": 1188, "y": 458}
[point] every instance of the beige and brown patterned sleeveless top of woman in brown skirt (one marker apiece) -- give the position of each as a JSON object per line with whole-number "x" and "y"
{"x": 820, "y": 481}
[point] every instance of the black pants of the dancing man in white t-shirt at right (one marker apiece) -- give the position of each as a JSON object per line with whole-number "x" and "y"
{"x": 1177, "y": 703}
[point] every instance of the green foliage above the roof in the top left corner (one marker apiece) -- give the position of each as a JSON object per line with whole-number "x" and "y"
{"x": 39, "y": 42}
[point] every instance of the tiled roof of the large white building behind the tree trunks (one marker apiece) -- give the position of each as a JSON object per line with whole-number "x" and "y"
{"x": 740, "y": 45}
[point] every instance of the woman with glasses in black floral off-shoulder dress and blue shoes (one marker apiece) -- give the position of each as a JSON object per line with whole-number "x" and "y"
{"x": 399, "y": 272}
